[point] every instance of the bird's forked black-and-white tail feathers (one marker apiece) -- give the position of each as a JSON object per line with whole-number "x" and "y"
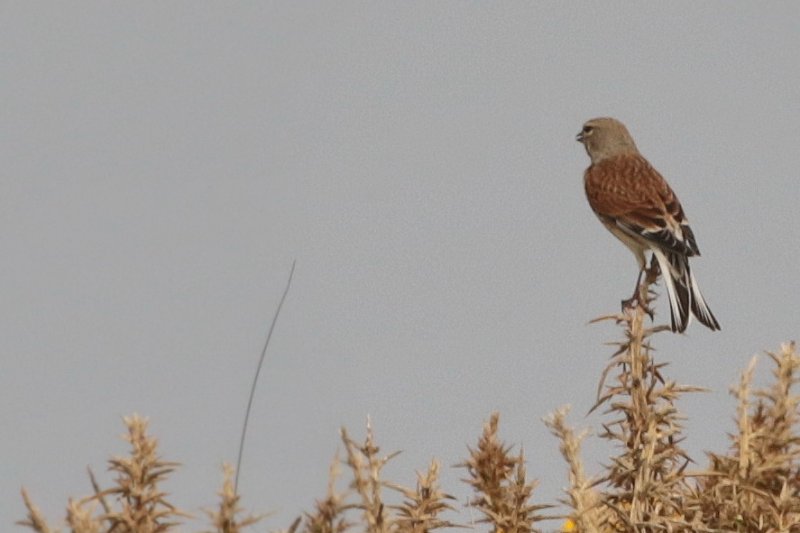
{"x": 685, "y": 298}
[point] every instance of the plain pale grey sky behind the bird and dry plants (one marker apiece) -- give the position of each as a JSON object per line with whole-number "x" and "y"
{"x": 164, "y": 162}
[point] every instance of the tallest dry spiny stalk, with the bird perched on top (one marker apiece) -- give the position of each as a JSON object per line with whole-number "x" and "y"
{"x": 645, "y": 482}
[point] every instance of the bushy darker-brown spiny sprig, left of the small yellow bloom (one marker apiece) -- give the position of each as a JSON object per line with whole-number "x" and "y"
{"x": 499, "y": 479}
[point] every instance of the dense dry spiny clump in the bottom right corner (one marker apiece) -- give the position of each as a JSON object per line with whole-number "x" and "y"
{"x": 756, "y": 487}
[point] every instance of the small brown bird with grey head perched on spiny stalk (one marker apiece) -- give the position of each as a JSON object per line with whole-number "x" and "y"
{"x": 637, "y": 205}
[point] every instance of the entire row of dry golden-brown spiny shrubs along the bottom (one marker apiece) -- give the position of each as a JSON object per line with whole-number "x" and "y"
{"x": 646, "y": 485}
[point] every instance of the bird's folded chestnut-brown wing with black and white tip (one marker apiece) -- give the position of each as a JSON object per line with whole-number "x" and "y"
{"x": 629, "y": 192}
